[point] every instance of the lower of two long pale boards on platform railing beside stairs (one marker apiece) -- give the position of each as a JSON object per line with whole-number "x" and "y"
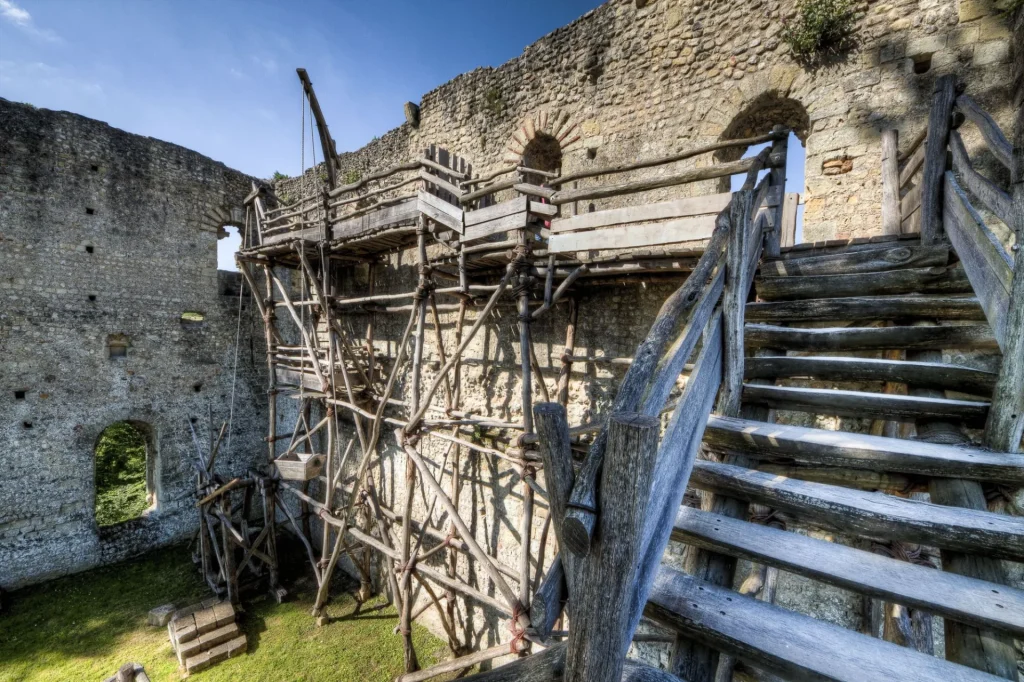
{"x": 641, "y": 235}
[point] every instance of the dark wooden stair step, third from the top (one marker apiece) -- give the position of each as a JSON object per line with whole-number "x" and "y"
{"x": 868, "y": 308}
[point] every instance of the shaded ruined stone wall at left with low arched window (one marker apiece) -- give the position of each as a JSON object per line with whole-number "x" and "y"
{"x": 109, "y": 235}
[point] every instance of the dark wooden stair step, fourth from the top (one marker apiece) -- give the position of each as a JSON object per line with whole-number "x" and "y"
{"x": 870, "y": 338}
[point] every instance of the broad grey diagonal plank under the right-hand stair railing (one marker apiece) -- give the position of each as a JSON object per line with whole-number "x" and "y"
{"x": 988, "y": 266}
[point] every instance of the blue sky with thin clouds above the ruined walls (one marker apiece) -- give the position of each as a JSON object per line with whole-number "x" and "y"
{"x": 219, "y": 77}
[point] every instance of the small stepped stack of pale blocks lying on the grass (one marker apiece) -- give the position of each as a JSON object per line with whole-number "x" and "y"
{"x": 205, "y": 634}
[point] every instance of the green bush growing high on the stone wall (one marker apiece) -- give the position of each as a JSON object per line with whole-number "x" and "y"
{"x": 820, "y": 28}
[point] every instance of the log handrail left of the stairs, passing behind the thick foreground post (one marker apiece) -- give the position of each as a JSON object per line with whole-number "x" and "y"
{"x": 651, "y": 363}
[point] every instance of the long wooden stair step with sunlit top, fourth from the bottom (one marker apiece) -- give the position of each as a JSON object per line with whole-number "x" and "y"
{"x": 840, "y": 449}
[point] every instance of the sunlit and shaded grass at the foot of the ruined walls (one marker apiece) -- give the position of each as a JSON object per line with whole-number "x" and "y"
{"x": 84, "y": 627}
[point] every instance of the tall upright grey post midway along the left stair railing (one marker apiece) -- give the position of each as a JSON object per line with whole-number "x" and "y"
{"x": 735, "y": 305}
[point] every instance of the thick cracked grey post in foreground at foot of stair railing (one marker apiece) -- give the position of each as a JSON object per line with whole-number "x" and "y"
{"x": 601, "y": 634}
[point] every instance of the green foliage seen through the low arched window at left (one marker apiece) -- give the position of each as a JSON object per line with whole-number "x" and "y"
{"x": 121, "y": 493}
